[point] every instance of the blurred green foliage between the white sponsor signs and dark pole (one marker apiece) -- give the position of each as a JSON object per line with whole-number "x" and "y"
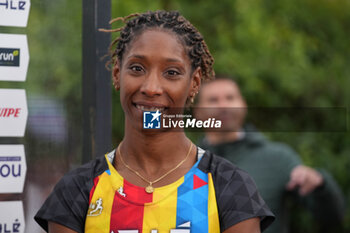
{"x": 54, "y": 32}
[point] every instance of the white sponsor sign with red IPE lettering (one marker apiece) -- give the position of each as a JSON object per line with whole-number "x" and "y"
{"x": 13, "y": 112}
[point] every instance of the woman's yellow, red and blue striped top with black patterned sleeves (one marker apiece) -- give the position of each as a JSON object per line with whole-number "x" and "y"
{"x": 209, "y": 198}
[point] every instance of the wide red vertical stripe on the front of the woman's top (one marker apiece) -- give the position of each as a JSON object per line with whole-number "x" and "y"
{"x": 127, "y": 212}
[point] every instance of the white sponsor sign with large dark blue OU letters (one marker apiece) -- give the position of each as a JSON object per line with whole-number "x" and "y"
{"x": 13, "y": 168}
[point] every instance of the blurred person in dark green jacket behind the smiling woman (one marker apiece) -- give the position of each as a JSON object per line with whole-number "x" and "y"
{"x": 278, "y": 171}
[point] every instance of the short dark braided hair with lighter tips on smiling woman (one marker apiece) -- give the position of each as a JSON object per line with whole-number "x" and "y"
{"x": 192, "y": 40}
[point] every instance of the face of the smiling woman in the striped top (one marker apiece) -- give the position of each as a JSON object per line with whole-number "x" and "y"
{"x": 155, "y": 74}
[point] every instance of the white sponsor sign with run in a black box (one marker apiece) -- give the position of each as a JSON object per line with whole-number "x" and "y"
{"x": 14, "y": 57}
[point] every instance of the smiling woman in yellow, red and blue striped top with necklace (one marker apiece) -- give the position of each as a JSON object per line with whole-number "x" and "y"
{"x": 157, "y": 180}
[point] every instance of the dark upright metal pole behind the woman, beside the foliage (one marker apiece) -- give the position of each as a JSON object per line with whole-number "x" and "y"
{"x": 97, "y": 114}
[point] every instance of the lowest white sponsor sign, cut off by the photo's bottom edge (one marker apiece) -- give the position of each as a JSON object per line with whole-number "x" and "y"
{"x": 11, "y": 217}
